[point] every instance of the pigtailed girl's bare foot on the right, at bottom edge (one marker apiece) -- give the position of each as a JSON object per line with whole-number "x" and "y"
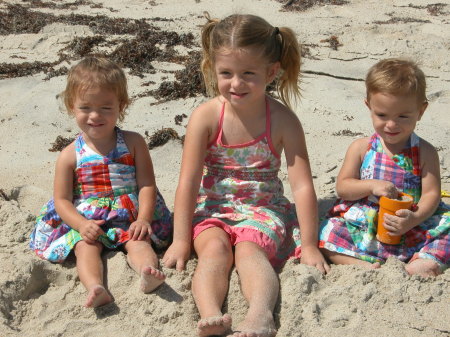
{"x": 256, "y": 326}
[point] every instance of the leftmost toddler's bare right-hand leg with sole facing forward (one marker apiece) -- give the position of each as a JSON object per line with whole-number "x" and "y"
{"x": 142, "y": 258}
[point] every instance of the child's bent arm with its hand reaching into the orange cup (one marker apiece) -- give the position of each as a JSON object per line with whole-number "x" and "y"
{"x": 349, "y": 186}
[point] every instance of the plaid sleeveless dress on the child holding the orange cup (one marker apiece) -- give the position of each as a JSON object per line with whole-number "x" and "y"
{"x": 350, "y": 227}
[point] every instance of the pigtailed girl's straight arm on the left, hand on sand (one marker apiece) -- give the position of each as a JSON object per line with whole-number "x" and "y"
{"x": 194, "y": 151}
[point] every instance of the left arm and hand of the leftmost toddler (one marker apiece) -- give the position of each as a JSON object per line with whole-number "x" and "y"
{"x": 63, "y": 197}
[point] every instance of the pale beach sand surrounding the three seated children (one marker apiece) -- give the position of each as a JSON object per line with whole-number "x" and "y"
{"x": 341, "y": 42}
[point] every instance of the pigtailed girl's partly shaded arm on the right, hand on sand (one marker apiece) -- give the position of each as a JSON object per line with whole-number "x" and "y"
{"x": 302, "y": 187}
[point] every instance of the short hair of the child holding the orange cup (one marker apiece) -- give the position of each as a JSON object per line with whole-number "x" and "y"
{"x": 396, "y": 76}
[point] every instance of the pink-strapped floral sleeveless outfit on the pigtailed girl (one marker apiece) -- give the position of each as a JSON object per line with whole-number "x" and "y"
{"x": 241, "y": 193}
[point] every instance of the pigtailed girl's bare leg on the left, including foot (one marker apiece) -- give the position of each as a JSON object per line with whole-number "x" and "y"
{"x": 210, "y": 280}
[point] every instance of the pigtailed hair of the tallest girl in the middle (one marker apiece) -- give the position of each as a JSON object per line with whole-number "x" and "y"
{"x": 250, "y": 31}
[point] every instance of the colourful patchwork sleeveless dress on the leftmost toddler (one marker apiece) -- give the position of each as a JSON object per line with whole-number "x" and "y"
{"x": 104, "y": 189}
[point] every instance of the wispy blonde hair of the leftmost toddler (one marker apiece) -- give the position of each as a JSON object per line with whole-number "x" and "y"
{"x": 95, "y": 71}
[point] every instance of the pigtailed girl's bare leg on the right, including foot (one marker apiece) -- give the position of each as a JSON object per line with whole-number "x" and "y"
{"x": 260, "y": 287}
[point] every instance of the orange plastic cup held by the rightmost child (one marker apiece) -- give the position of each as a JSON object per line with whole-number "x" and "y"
{"x": 390, "y": 206}
